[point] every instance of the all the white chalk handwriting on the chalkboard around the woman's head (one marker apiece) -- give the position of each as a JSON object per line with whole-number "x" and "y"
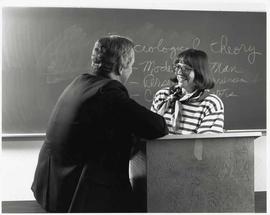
{"x": 156, "y": 74}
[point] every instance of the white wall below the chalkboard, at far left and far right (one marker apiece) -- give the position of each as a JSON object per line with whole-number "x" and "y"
{"x": 19, "y": 160}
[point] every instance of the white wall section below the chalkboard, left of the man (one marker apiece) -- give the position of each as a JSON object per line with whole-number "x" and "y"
{"x": 19, "y": 159}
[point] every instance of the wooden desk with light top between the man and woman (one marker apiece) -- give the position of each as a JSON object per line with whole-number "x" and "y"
{"x": 201, "y": 173}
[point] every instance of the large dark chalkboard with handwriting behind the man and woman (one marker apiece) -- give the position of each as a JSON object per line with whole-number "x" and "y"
{"x": 45, "y": 48}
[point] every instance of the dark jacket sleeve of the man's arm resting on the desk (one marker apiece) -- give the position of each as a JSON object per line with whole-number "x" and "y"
{"x": 143, "y": 122}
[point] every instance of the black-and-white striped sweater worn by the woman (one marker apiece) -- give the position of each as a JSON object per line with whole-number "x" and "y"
{"x": 203, "y": 113}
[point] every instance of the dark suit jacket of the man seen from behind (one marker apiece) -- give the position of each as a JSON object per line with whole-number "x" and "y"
{"x": 83, "y": 164}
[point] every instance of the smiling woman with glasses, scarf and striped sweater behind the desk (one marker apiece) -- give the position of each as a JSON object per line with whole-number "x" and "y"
{"x": 187, "y": 106}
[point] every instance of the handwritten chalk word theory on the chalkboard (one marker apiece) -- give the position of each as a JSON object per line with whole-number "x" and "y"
{"x": 222, "y": 47}
